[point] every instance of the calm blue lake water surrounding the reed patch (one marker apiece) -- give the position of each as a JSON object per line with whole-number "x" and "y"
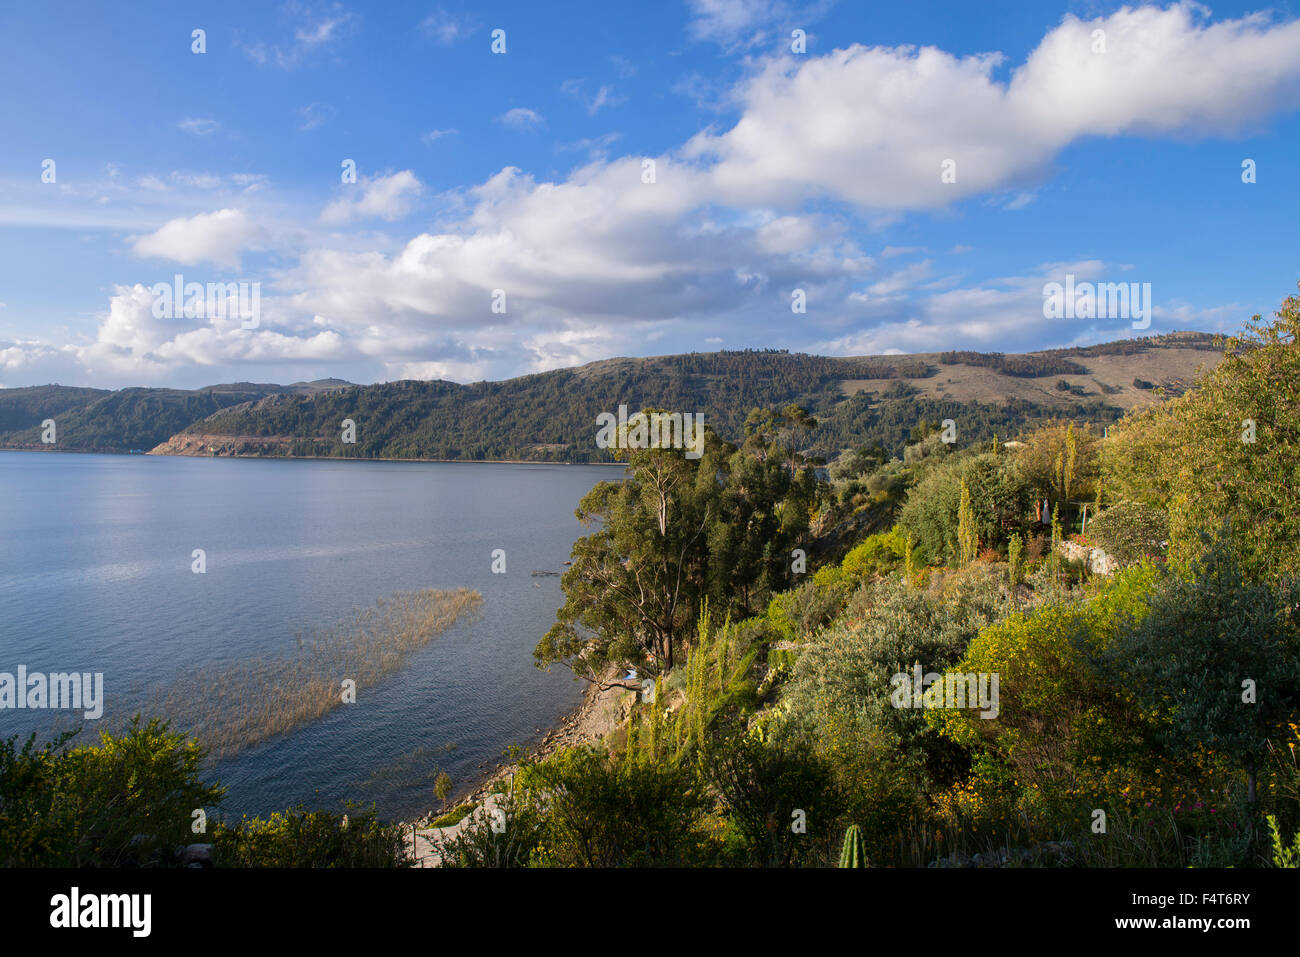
{"x": 96, "y": 555}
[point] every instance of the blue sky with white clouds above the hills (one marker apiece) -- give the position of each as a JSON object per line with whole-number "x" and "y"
{"x": 525, "y": 172}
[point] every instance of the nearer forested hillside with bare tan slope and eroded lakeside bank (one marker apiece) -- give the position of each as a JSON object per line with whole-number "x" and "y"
{"x": 552, "y": 417}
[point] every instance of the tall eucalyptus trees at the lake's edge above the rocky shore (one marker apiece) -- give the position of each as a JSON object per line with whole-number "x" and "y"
{"x": 675, "y": 534}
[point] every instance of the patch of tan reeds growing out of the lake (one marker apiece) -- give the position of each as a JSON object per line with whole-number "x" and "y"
{"x": 232, "y": 708}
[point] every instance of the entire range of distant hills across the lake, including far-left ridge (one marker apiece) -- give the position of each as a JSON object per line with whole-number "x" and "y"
{"x": 552, "y": 417}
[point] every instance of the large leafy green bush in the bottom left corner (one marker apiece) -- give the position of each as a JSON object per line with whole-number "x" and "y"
{"x": 124, "y": 802}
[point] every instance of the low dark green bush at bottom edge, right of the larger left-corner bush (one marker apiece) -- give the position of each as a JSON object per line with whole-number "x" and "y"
{"x": 302, "y": 838}
